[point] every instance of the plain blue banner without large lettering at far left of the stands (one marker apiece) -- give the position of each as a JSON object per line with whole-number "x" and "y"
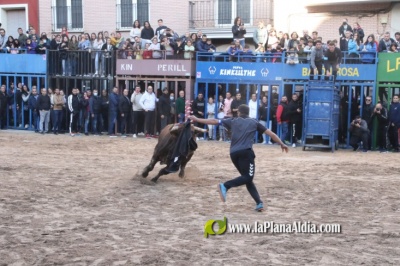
{"x": 23, "y": 63}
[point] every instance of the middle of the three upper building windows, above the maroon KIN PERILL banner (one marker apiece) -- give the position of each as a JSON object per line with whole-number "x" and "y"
{"x": 131, "y": 10}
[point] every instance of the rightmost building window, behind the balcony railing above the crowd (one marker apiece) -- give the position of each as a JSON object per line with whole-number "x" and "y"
{"x": 228, "y": 10}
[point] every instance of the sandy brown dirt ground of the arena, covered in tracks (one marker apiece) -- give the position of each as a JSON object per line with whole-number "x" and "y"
{"x": 77, "y": 201}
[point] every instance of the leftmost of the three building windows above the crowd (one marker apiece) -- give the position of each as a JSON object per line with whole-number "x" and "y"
{"x": 67, "y": 13}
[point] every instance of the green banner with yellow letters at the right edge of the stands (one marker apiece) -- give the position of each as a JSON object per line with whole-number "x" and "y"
{"x": 389, "y": 67}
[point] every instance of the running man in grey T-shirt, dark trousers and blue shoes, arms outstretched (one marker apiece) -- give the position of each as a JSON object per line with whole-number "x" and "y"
{"x": 242, "y": 155}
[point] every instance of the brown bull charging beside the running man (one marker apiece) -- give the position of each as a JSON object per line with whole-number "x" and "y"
{"x": 165, "y": 147}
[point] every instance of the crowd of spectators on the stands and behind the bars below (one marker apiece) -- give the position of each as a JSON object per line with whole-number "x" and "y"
{"x": 142, "y": 112}
